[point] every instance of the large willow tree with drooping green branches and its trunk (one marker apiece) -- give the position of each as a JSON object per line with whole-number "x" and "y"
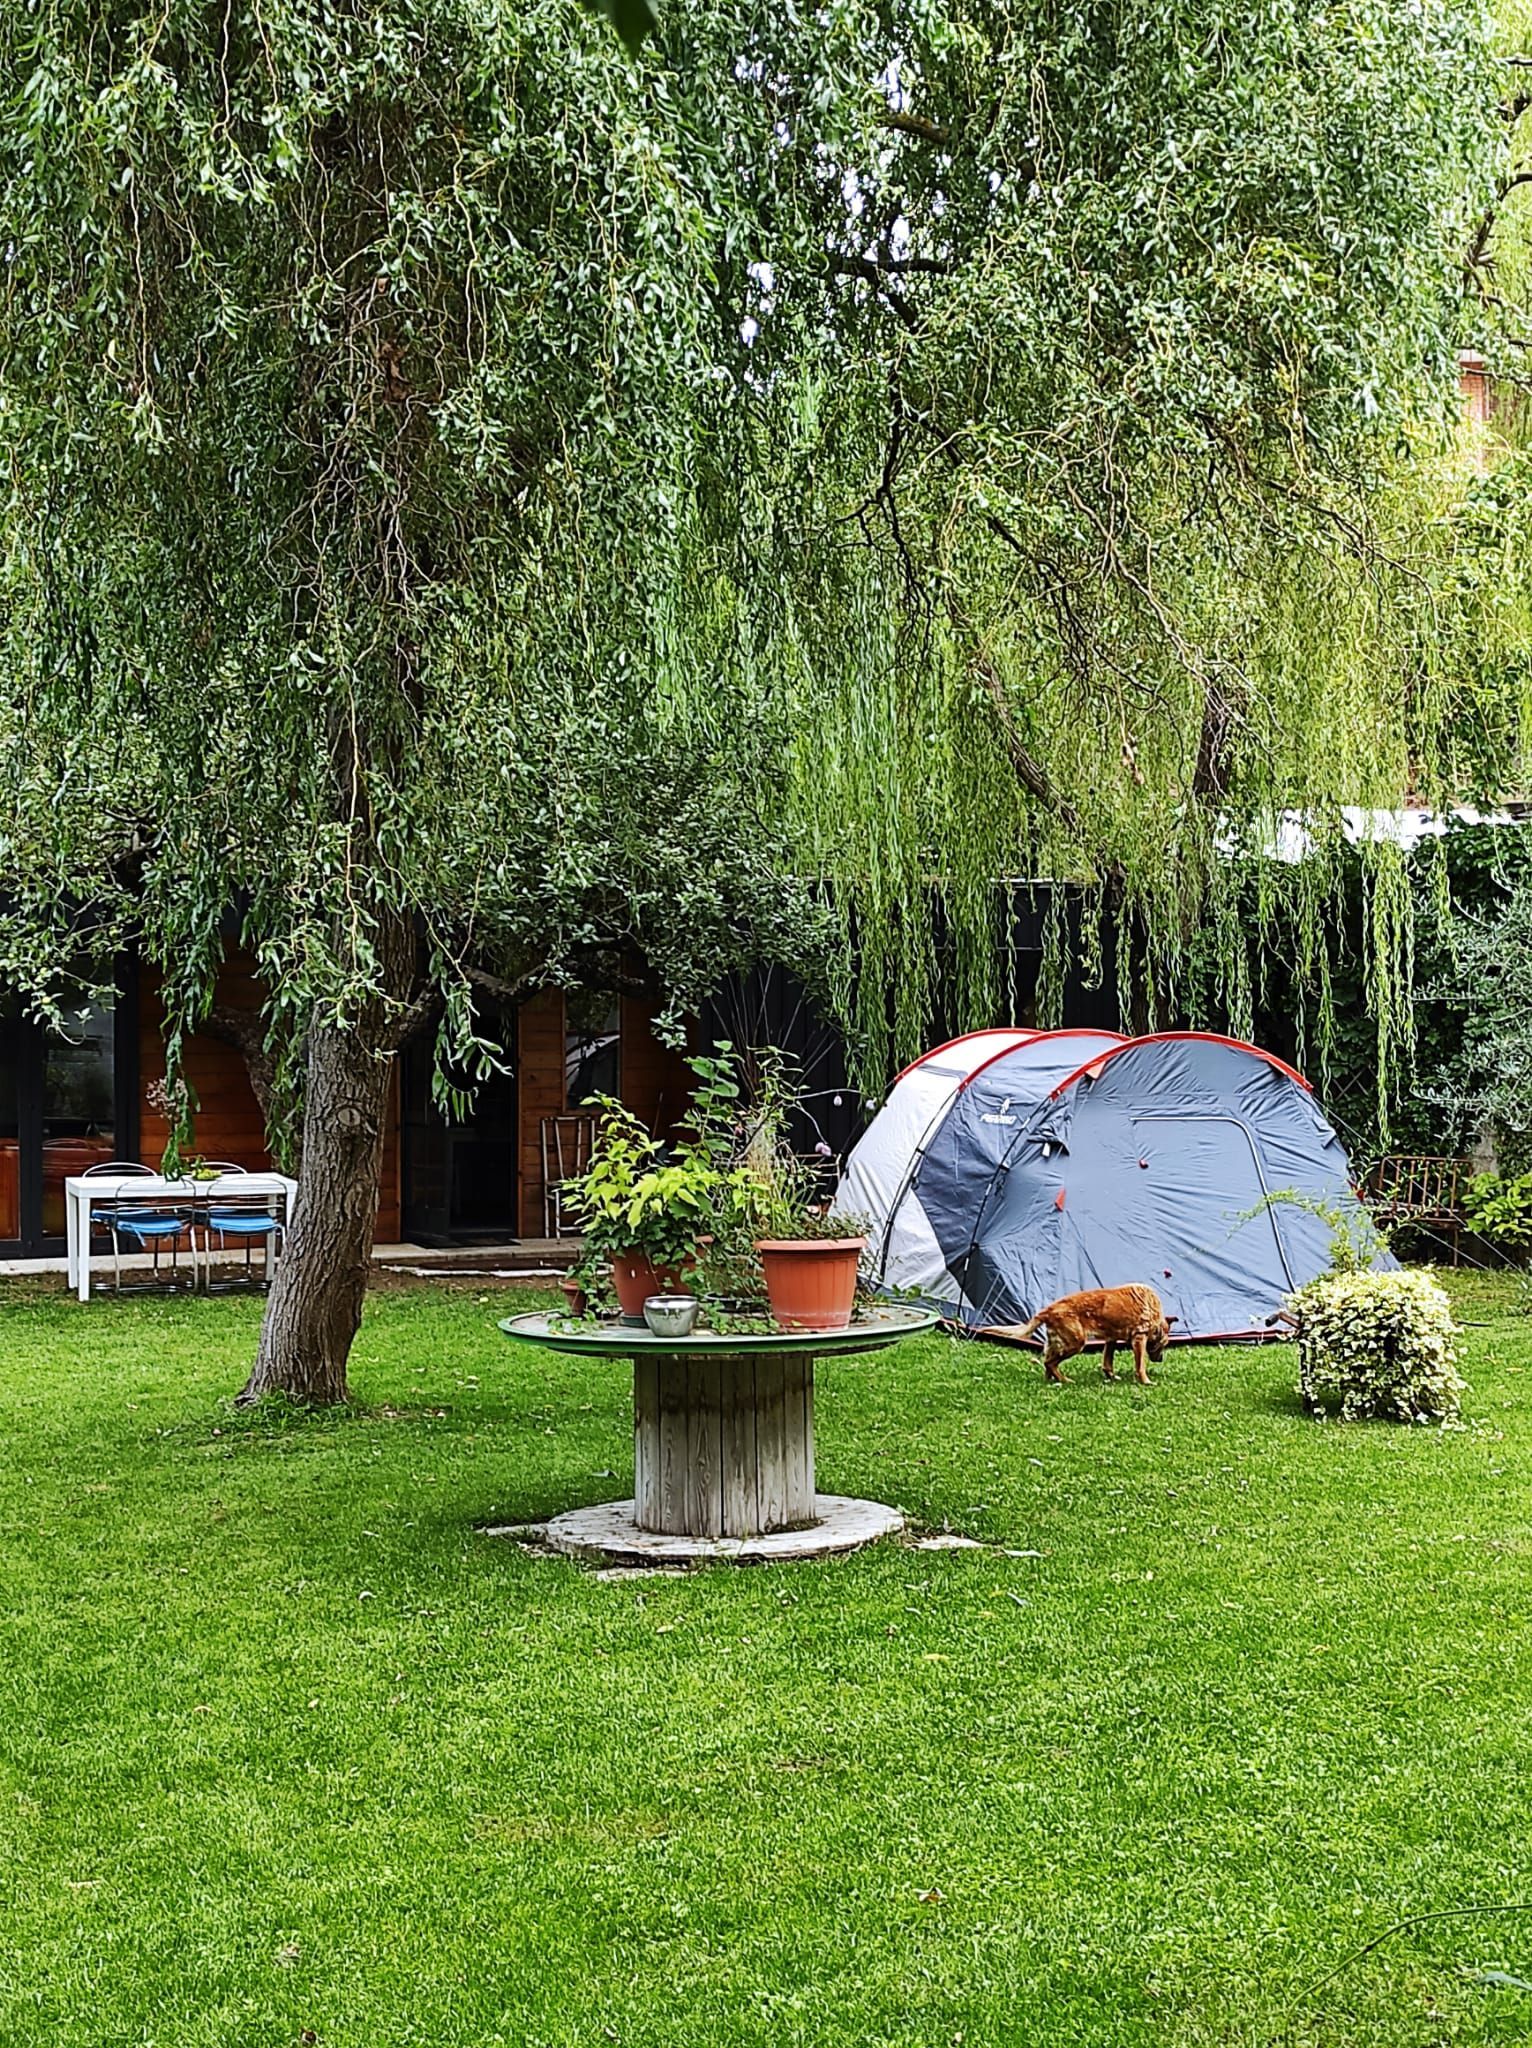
{"x": 454, "y": 472}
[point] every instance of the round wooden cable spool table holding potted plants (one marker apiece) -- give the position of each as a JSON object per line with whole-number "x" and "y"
{"x": 724, "y": 1443}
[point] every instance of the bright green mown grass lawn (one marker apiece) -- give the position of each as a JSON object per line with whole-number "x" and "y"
{"x": 290, "y": 1752}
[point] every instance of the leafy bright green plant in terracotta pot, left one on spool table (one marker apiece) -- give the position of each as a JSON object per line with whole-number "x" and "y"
{"x": 642, "y": 1209}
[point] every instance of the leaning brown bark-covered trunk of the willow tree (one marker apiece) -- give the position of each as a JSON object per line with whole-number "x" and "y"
{"x": 316, "y": 1299}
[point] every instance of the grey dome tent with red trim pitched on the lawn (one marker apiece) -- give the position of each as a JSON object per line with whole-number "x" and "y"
{"x": 1011, "y": 1168}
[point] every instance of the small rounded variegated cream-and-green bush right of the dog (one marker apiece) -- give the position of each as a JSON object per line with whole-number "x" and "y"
{"x": 1381, "y": 1345}
